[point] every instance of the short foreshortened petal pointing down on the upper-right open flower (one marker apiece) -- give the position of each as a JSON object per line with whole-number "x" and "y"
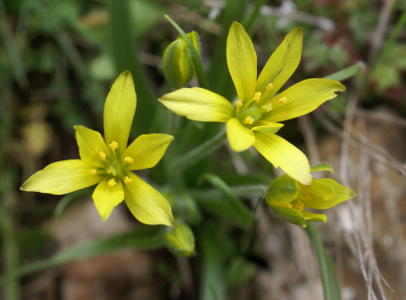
{"x": 239, "y": 136}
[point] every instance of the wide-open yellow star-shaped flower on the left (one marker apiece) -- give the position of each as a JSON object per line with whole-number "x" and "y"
{"x": 109, "y": 164}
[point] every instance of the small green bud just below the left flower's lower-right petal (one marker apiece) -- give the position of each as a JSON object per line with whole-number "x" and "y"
{"x": 180, "y": 241}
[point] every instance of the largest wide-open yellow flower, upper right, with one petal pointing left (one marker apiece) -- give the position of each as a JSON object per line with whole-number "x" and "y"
{"x": 254, "y": 120}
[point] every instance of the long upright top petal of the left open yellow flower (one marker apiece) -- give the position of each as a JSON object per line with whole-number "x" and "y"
{"x": 119, "y": 111}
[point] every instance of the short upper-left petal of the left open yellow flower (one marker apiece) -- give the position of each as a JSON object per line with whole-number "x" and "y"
{"x": 90, "y": 144}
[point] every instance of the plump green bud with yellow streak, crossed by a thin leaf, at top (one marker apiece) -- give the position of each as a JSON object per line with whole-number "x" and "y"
{"x": 177, "y": 64}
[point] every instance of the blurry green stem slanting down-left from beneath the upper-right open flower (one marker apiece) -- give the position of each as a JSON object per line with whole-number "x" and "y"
{"x": 199, "y": 152}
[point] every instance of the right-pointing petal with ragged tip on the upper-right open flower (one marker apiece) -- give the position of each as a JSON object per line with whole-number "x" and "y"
{"x": 302, "y": 98}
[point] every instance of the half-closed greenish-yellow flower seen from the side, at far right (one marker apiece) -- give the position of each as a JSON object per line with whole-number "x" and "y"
{"x": 287, "y": 197}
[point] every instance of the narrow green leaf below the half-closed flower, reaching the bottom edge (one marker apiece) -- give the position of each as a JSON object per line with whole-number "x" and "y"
{"x": 328, "y": 274}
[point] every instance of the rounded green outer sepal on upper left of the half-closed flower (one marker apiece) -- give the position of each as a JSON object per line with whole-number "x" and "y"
{"x": 283, "y": 190}
